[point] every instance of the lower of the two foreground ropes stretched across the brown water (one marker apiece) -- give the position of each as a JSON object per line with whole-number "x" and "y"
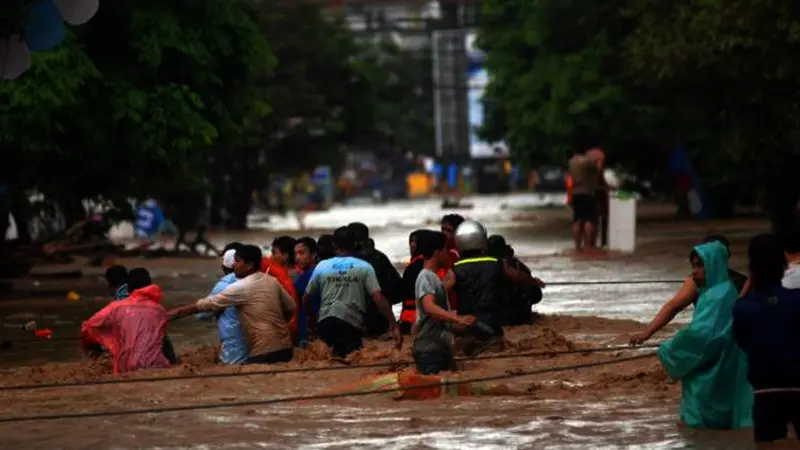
{"x": 290, "y": 399}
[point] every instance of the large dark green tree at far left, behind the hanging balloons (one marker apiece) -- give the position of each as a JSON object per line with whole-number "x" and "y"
{"x": 135, "y": 102}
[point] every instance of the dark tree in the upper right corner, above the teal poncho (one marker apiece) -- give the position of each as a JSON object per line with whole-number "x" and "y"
{"x": 725, "y": 73}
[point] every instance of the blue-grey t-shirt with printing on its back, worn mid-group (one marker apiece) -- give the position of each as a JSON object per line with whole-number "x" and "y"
{"x": 344, "y": 283}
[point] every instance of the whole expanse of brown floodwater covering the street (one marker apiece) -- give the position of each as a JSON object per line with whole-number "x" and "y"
{"x": 630, "y": 405}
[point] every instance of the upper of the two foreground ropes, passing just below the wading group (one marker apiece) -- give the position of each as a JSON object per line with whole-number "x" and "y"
{"x": 312, "y": 369}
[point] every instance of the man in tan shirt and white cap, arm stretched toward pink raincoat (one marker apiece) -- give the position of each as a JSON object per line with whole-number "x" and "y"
{"x": 264, "y": 308}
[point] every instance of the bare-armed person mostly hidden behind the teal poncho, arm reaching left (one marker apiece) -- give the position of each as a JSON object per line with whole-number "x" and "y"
{"x": 687, "y": 295}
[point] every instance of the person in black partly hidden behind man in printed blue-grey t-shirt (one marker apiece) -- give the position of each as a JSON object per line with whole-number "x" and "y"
{"x": 388, "y": 278}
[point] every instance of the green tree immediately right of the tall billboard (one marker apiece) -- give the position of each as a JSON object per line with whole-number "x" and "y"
{"x": 555, "y": 83}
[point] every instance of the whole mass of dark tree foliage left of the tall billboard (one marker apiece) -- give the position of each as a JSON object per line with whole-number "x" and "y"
{"x": 178, "y": 98}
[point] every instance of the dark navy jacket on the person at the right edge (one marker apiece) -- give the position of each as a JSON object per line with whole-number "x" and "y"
{"x": 766, "y": 325}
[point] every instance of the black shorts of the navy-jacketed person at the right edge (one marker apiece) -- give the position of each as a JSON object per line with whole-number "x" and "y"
{"x": 772, "y": 414}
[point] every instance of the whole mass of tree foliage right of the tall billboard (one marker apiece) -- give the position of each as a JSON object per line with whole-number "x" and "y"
{"x": 638, "y": 75}
